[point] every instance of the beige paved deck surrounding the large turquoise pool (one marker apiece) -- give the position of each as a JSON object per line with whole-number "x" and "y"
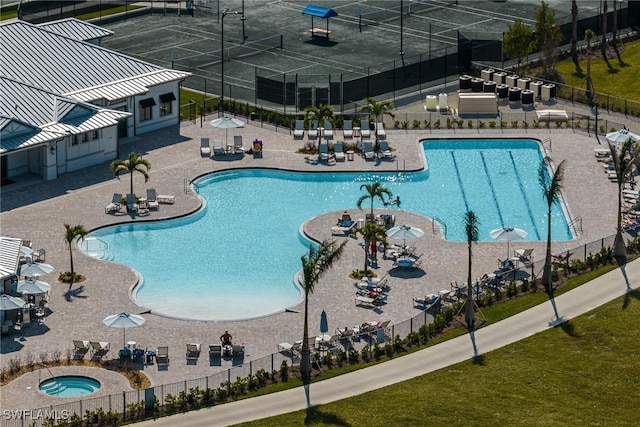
{"x": 37, "y": 211}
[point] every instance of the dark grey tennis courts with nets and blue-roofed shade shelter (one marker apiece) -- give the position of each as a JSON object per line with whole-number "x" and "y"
{"x": 366, "y": 37}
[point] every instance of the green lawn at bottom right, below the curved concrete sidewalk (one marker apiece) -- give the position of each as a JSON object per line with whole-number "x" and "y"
{"x": 586, "y": 372}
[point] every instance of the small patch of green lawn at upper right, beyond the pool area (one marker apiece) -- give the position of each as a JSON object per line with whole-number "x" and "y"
{"x": 621, "y": 80}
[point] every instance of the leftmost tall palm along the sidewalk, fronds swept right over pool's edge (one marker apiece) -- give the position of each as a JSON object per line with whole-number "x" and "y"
{"x": 314, "y": 265}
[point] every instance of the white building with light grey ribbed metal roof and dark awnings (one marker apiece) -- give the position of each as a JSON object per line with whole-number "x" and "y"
{"x": 66, "y": 101}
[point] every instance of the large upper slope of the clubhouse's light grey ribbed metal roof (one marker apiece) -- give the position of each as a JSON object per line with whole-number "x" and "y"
{"x": 62, "y": 64}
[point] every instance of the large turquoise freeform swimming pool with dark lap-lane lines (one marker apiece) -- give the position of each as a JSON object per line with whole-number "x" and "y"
{"x": 236, "y": 259}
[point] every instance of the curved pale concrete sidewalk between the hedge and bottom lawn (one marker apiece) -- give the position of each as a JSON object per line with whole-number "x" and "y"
{"x": 537, "y": 319}
